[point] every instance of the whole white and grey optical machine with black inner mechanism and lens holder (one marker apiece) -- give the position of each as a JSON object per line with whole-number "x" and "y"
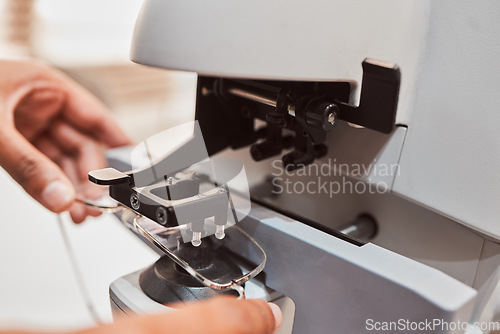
{"x": 317, "y": 176}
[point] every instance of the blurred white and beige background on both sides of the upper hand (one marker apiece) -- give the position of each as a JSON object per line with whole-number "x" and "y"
{"x": 90, "y": 41}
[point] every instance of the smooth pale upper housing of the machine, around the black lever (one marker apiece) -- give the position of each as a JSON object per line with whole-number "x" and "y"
{"x": 447, "y": 52}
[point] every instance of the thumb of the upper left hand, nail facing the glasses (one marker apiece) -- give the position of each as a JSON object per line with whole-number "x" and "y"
{"x": 37, "y": 174}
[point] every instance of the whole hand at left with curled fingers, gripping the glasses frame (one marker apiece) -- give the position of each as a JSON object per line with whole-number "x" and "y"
{"x": 51, "y": 134}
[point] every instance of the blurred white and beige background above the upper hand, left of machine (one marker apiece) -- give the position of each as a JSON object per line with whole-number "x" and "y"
{"x": 90, "y": 40}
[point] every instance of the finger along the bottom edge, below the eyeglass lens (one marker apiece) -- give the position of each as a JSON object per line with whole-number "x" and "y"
{"x": 217, "y": 316}
